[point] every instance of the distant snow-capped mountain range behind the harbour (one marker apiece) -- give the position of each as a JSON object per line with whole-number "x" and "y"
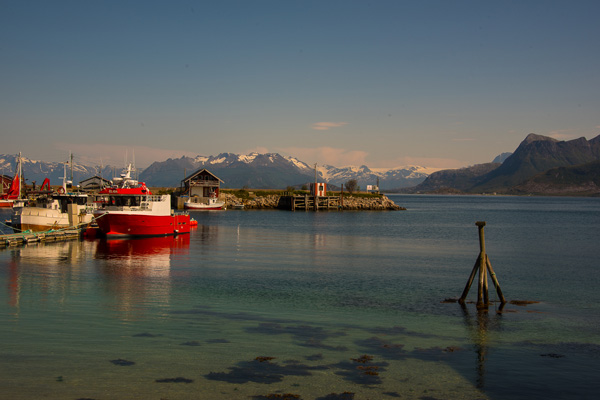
{"x": 257, "y": 171}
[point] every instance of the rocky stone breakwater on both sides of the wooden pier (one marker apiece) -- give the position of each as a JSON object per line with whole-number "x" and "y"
{"x": 350, "y": 202}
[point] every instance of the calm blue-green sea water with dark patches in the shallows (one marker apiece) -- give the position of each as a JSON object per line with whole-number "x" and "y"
{"x": 322, "y": 305}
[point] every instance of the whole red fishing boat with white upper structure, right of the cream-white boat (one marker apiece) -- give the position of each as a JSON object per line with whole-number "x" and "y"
{"x": 128, "y": 208}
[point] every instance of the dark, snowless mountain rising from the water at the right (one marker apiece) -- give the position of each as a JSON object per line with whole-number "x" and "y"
{"x": 540, "y": 165}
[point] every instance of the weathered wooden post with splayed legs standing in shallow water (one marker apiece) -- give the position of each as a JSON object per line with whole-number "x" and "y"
{"x": 482, "y": 265}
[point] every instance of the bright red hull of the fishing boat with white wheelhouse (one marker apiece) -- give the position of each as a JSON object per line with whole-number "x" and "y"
{"x": 113, "y": 224}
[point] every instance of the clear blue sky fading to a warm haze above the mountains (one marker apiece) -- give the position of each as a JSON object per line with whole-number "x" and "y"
{"x": 441, "y": 84}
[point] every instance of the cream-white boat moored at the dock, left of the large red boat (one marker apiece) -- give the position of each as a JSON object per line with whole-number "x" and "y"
{"x": 53, "y": 211}
